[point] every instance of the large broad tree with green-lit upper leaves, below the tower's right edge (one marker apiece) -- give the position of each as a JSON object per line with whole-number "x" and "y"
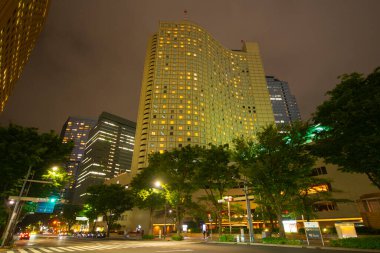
{"x": 277, "y": 166}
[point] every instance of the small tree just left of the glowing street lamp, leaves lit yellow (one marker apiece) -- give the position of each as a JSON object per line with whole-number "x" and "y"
{"x": 145, "y": 196}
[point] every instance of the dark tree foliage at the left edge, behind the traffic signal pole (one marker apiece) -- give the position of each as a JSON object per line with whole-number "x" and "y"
{"x": 22, "y": 148}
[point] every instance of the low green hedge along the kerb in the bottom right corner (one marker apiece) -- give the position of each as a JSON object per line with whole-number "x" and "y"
{"x": 360, "y": 243}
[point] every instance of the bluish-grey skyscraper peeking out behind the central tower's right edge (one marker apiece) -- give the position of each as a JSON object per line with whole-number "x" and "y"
{"x": 284, "y": 104}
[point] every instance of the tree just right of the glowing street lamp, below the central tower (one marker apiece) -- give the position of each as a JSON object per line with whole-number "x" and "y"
{"x": 176, "y": 169}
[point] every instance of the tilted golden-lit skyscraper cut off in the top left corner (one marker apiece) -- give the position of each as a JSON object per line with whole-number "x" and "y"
{"x": 21, "y": 22}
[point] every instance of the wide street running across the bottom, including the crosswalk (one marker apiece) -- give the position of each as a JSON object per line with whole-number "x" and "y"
{"x": 54, "y": 244}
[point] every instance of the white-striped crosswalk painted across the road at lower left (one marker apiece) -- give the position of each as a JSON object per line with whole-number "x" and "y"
{"x": 97, "y": 246}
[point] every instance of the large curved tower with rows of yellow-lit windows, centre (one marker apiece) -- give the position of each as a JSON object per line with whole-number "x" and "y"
{"x": 195, "y": 91}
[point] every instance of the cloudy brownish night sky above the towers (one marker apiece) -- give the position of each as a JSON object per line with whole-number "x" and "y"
{"x": 90, "y": 56}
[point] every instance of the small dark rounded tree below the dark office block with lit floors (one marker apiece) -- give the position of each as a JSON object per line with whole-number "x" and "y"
{"x": 110, "y": 201}
